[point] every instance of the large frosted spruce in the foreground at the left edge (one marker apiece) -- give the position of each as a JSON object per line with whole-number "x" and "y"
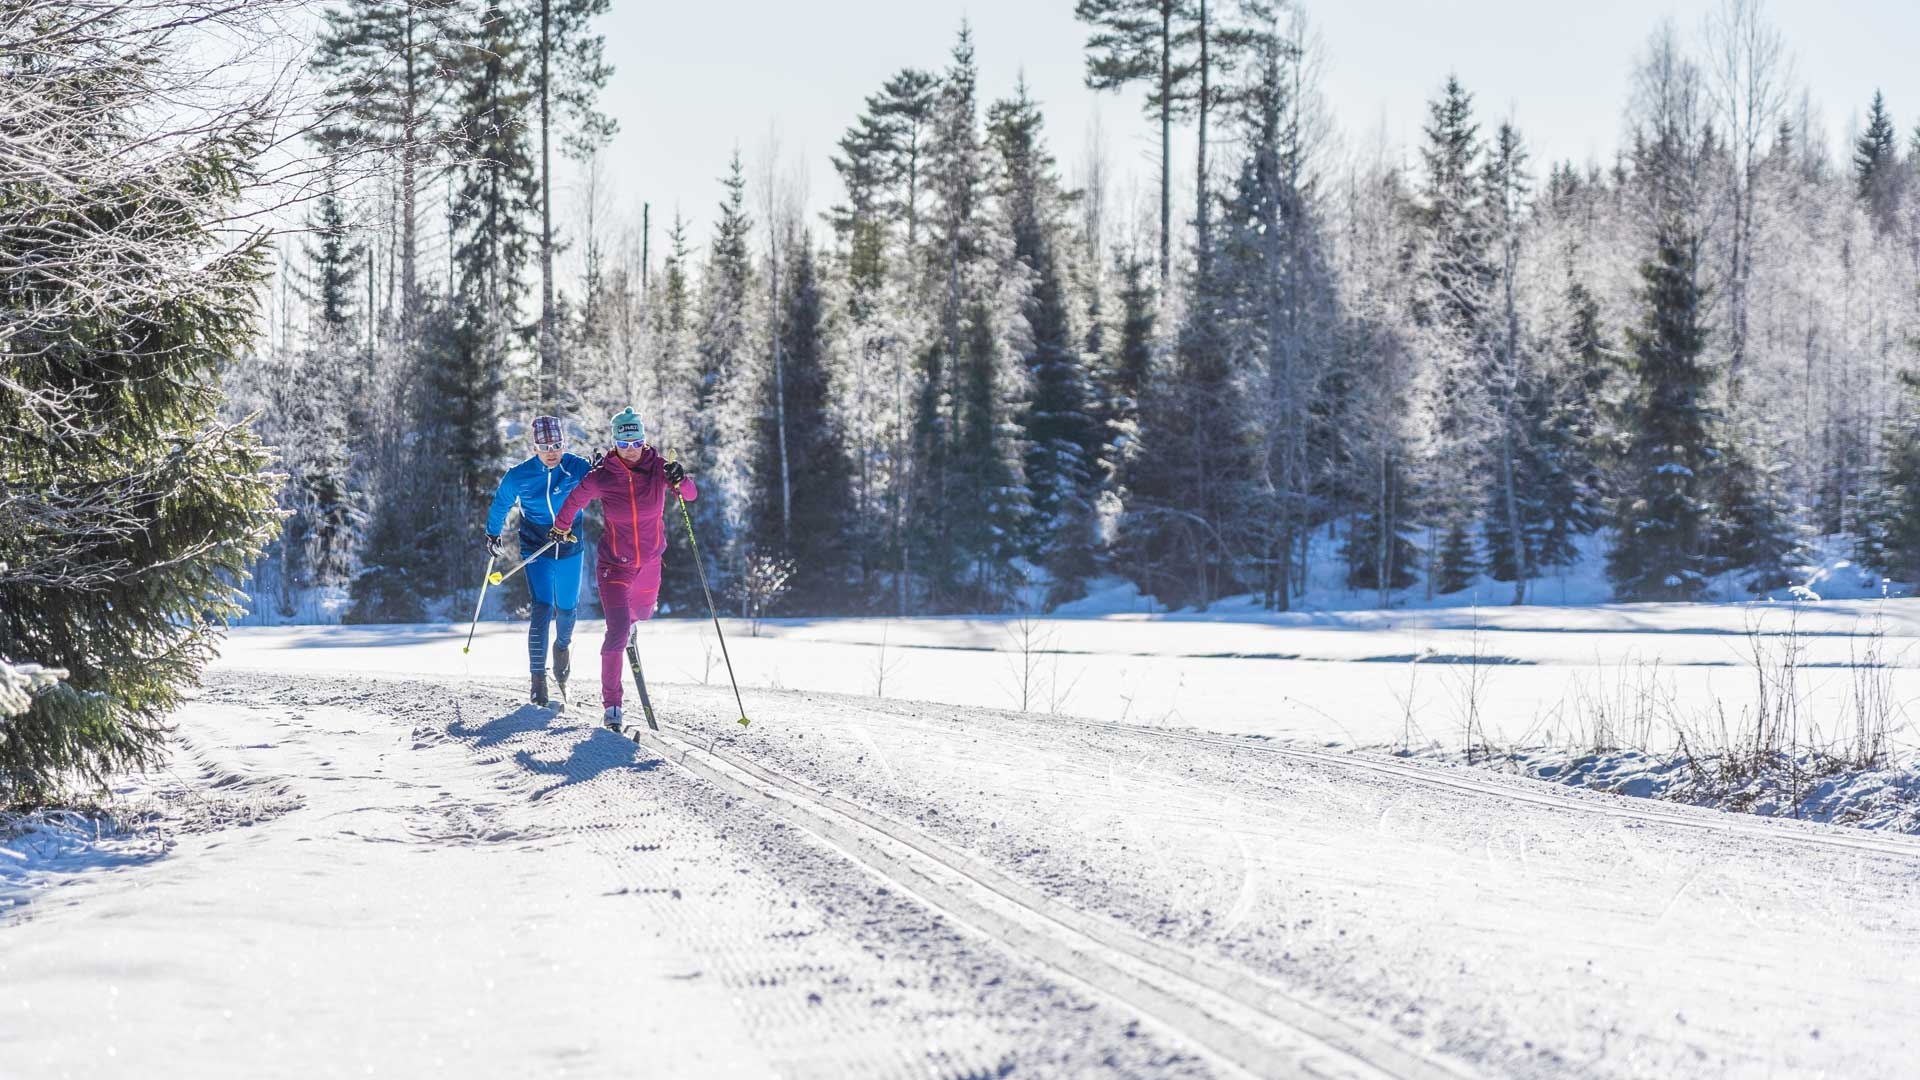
{"x": 128, "y": 510}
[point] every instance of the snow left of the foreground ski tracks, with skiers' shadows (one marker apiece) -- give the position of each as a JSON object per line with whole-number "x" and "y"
{"x": 450, "y": 885}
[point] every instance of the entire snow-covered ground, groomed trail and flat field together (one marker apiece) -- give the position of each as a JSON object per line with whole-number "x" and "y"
{"x": 370, "y": 858}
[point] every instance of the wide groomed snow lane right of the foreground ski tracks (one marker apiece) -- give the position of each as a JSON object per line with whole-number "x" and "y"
{"x": 1512, "y": 925}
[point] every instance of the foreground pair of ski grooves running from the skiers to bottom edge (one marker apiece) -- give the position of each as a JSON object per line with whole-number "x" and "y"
{"x": 1247, "y": 1023}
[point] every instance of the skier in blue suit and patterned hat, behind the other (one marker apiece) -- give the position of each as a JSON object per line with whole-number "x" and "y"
{"x": 539, "y": 487}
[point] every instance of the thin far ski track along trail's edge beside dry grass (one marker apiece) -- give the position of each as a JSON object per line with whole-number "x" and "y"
{"x": 1727, "y": 823}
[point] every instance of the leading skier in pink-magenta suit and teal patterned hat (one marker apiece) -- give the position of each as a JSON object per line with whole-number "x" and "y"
{"x": 631, "y": 485}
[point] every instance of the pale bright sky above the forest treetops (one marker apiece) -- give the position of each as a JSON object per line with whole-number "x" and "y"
{"x": 698, "y": 78}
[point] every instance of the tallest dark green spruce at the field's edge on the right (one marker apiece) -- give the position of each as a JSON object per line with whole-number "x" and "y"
{"x": 1664, "y": 512}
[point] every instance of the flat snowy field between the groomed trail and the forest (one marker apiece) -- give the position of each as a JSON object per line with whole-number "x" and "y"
{"x": 1341, "y": 677}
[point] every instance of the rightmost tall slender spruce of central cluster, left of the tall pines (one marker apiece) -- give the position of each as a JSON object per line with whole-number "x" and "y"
{"x": 1059, "y": 422}
